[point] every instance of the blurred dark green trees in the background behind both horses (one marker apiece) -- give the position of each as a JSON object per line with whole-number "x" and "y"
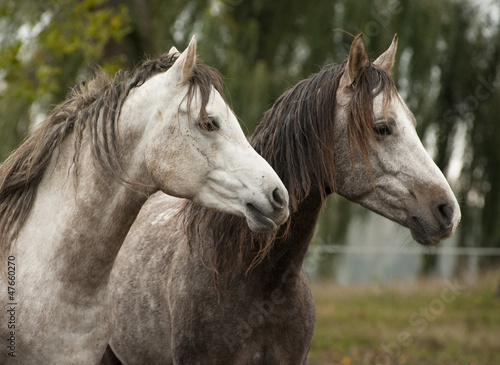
{"x": 447, "y": 71}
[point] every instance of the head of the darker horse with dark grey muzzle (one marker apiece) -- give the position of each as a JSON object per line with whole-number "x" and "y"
{"x": 389, "y": 172}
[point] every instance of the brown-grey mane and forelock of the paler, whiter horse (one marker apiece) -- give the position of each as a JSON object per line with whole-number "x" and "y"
{"x": 93, "y": 106}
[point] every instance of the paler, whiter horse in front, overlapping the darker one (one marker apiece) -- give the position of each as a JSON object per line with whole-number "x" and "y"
{"x": 70, "y": 193}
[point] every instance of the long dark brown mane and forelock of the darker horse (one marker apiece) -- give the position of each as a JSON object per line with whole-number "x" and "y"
{"x": 296, "y": 137}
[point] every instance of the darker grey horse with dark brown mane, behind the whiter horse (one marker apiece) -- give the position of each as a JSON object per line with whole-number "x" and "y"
{"x": 344, "y": 130}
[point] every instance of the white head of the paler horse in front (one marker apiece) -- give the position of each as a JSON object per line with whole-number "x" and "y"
{"x": 194, "y": 147}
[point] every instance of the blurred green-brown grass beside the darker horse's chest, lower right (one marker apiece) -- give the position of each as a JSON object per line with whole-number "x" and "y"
{"x": 433, "y": 322}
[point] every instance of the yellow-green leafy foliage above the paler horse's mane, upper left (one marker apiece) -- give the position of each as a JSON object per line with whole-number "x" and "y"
{"x": 48, "y": 47}
